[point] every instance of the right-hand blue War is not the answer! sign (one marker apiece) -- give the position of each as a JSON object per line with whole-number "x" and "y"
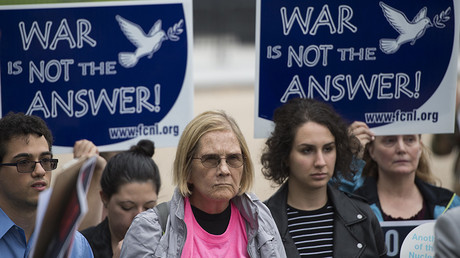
{"x": 391, "y": 64}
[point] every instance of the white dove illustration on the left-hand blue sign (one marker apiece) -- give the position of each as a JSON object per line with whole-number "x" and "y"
{"x": 146, "y": 44}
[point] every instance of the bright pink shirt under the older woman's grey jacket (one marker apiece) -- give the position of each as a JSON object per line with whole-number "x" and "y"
{"x": 199, "y": 243}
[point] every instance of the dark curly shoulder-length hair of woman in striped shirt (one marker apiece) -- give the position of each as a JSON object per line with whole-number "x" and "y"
{"x": 288, "y": 118}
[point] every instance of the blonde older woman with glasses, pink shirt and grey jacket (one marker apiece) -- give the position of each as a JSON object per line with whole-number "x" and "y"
{"x": 212, "y": 213}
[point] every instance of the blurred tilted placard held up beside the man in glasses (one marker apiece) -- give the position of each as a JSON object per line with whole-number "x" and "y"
{"x": 61, "y": 208}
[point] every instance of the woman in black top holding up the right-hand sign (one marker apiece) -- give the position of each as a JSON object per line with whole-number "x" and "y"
{"x": 398, "y": 182}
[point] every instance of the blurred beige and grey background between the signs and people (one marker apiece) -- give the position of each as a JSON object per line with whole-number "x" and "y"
{"x": 224, "y": 78}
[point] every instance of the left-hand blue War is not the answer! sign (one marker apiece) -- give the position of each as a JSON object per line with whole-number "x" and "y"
{"x": 112, "y": 72}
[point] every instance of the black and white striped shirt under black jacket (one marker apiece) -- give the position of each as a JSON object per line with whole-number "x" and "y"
{"x": 312, "y": 231}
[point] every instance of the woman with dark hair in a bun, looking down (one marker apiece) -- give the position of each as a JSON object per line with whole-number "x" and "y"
{"x": 130, "y": 184}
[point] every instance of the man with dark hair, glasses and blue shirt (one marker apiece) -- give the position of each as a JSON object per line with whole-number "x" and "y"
{"x": 25, "y": 171}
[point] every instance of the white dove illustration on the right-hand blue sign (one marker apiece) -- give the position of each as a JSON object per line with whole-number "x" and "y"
{"x": 408, "y": 30}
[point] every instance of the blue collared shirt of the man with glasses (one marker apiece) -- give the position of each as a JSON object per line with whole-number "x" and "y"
{"x": 13, "y": 241}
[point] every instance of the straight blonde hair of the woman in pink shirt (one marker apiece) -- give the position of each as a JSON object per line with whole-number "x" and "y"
{"x": 208, "y": 121}
